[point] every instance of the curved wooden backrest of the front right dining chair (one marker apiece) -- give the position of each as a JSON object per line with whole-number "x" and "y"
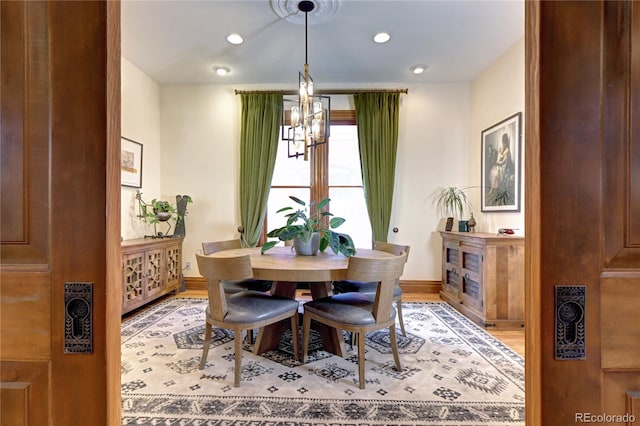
{"x": 386, "y": 271}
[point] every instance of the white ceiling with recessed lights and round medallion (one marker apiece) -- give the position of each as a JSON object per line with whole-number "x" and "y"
{"x": 179, "y": 41}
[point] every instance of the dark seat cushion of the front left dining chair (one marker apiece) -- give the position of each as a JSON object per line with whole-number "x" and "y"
{"x": 253, "y": 306}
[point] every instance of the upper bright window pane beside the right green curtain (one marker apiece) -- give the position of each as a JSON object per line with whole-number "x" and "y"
{"x": 344, "y": 158}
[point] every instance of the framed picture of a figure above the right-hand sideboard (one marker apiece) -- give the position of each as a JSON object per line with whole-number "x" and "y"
{"x": 500, "y": 189}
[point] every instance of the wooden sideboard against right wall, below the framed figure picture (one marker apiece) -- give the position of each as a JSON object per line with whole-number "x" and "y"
{"x": 483, "y": 277}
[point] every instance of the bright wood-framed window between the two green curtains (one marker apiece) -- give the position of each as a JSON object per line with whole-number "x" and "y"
{"x": 333, "y": 171}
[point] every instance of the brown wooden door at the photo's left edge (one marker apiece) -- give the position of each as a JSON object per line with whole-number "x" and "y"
{"x": 59, "y": 142}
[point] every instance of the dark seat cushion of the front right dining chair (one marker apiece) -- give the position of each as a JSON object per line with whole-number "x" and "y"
{"x": 349, "y": 308}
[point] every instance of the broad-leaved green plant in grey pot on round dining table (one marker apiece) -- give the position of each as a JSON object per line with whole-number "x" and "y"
{"x": 309, "y": 230}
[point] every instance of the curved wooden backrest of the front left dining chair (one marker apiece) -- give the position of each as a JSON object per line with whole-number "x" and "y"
{"x": 216, "y": 269}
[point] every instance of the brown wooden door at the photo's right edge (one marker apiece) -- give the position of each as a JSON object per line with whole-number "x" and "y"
{"x": 583, "y": 205}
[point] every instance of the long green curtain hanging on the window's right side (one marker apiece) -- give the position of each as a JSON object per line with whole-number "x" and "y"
{"x": 377, "y": 117}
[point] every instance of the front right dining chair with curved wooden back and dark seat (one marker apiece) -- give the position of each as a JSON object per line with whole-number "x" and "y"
{"x": 356, "y": 312}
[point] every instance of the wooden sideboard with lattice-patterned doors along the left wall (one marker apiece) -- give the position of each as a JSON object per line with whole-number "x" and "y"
{"x": 151, "y": 267}
